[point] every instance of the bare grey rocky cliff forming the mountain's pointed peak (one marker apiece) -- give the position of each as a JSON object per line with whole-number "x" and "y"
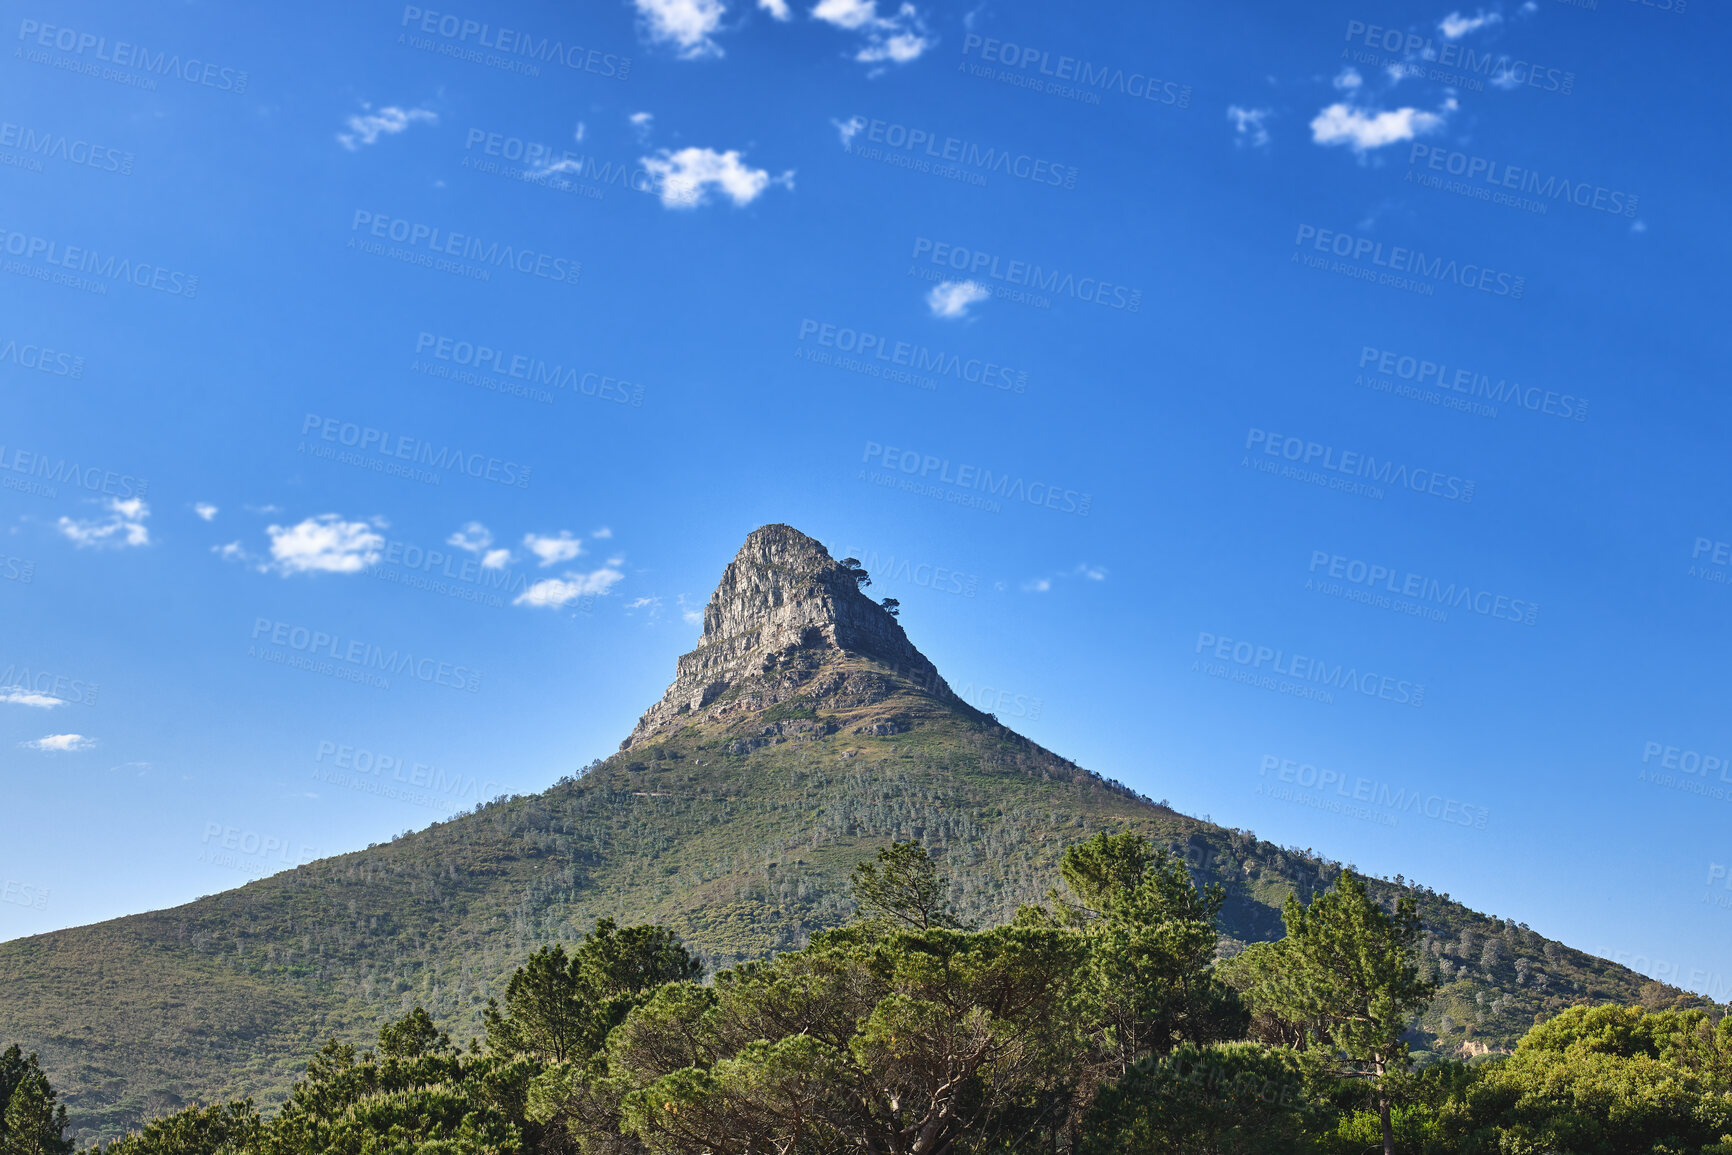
{"x": 784, "y": 612}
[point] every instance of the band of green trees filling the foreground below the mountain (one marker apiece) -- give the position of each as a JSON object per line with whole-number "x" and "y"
{"x": 1102, "y": 1019}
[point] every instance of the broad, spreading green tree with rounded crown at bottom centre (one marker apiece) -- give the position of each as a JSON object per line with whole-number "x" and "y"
{"x": 896, "y": 1042}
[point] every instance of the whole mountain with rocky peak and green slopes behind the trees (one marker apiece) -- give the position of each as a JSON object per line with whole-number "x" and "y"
{"x": 803, "y": 733}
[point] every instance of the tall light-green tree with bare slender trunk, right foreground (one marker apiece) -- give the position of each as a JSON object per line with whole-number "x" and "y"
{"x": 1345, "y": 984}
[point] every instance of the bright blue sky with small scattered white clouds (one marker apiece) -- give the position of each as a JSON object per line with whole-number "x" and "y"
{"x": 1309, "y": 416}
